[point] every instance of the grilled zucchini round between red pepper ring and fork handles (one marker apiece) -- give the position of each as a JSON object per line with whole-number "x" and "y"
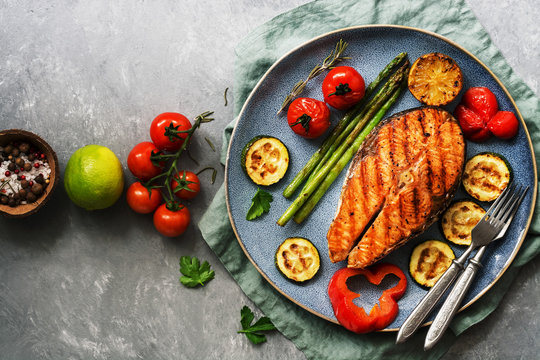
{"x": 429, "y": 260}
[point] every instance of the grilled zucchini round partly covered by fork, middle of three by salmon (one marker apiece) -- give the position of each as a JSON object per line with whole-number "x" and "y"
{"x": 459, "y": 219}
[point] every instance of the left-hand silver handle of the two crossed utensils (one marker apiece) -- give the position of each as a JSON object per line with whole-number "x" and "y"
{"x": 423, "y": 309}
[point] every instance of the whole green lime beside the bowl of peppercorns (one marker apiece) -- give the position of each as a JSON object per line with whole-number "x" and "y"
{"x": 94, "y": 178}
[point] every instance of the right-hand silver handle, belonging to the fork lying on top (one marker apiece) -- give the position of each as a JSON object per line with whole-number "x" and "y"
{"x": 453, "y": 301}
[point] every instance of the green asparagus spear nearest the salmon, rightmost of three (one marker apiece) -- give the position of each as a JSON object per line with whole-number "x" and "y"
{"x": 306, "y": 209}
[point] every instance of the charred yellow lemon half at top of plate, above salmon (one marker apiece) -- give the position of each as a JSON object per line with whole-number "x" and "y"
{"x": 435, "y": 79}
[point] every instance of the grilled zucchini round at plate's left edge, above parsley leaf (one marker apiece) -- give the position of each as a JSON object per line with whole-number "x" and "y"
{"x": 265, "y": 160}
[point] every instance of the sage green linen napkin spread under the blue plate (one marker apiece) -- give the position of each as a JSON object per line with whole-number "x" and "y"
{"x": 317, "y": 338}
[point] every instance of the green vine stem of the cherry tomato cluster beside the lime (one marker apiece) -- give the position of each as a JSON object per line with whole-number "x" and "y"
{"x": 158, "y": 158}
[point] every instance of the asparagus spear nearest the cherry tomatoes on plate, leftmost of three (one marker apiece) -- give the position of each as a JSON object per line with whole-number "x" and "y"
{"x": 319, "y": 154}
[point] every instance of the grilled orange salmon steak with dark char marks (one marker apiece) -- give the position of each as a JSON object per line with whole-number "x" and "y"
{"x": 401, "y": 179}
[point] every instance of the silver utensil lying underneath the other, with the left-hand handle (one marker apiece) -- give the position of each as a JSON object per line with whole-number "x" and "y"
{"x": 426, "y": 305}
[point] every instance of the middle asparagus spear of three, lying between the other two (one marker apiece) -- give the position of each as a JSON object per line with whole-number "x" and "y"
{"x": 312, "y": 186}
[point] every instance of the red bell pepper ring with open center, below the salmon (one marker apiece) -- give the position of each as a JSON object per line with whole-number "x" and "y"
{"x": 354, "y": 318}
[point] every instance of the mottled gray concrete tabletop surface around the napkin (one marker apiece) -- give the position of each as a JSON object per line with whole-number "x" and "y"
{"x": 104, "y": 285}
